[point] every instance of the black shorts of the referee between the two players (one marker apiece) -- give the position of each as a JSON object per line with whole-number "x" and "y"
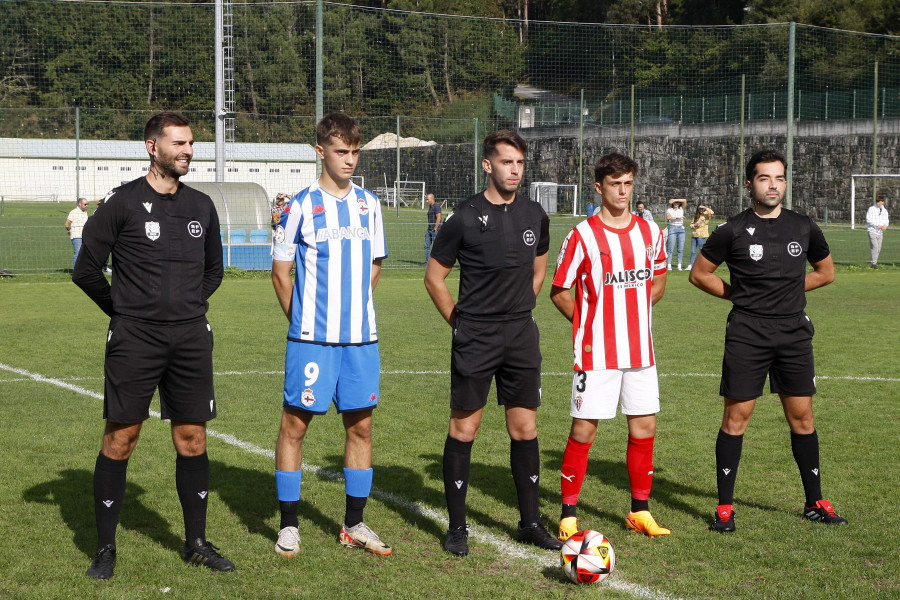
{"x": 508, "y": 351}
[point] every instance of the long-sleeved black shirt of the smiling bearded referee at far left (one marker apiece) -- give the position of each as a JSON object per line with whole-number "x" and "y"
{"x": 166, "y": 248}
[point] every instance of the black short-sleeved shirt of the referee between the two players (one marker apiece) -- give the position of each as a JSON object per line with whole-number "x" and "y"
{"x": 496, "y": 246}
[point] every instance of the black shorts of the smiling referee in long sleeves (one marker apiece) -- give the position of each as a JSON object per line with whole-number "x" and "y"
{"x": 177, "y": 359}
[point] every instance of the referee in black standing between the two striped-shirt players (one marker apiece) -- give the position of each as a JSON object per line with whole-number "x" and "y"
{"x": 501, "y": 242}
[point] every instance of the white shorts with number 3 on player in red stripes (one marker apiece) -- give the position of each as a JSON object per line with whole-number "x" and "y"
{"x": 595, "y": 394}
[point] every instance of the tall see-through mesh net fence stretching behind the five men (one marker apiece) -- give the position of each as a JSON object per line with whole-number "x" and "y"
{"x": 78, "y": 80}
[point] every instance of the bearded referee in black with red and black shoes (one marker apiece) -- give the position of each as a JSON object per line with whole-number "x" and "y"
{"x": 766, "y": 248}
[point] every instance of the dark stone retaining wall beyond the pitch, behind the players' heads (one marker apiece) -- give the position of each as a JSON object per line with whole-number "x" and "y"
{"x": 698, "y": 162}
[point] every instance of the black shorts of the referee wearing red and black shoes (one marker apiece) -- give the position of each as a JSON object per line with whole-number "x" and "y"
{"x": 756, "y": 347}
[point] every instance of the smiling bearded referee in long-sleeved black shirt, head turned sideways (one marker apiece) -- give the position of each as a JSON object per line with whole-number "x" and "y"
{"x": 164, "y": 238}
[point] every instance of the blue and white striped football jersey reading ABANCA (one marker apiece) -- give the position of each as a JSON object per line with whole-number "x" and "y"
{"x": 334, "y": 242}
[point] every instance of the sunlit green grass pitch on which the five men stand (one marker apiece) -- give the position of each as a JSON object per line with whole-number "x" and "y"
{"x": 50, "y": 438}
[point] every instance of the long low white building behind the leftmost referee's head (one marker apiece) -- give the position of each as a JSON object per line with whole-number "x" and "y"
{"x": 61, "y": 170}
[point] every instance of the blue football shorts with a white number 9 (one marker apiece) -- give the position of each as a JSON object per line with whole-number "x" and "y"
{"x": 316, "y": 374}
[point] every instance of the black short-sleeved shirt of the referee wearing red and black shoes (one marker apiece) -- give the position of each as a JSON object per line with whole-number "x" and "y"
{"x": 767, "y": 260}
